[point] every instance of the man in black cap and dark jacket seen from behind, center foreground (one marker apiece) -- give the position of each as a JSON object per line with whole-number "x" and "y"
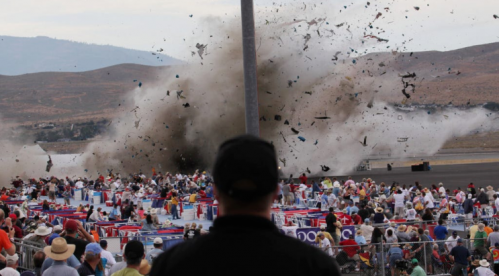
{"x": 243, "y": 239}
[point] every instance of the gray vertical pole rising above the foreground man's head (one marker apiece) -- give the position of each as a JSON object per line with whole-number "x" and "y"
{"x": 250, "y": 77}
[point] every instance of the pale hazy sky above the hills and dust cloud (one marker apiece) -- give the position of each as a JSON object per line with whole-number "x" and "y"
{"x": 443, "y": 25}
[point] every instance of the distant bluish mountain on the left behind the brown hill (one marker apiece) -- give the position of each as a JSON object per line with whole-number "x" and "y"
{"x": 22, "y": 55}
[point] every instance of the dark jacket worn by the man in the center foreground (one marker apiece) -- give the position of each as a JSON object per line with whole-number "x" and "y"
{"x": 244, "y": 245}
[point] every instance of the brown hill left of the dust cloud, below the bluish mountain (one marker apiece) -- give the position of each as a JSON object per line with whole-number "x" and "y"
{"x": 51, "y": 96}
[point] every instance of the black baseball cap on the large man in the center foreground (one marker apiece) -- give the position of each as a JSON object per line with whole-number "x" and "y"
{"x": 246, "y": 168}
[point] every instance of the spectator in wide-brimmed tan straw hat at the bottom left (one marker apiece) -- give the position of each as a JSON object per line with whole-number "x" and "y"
{"x": 59, "y": 251}
